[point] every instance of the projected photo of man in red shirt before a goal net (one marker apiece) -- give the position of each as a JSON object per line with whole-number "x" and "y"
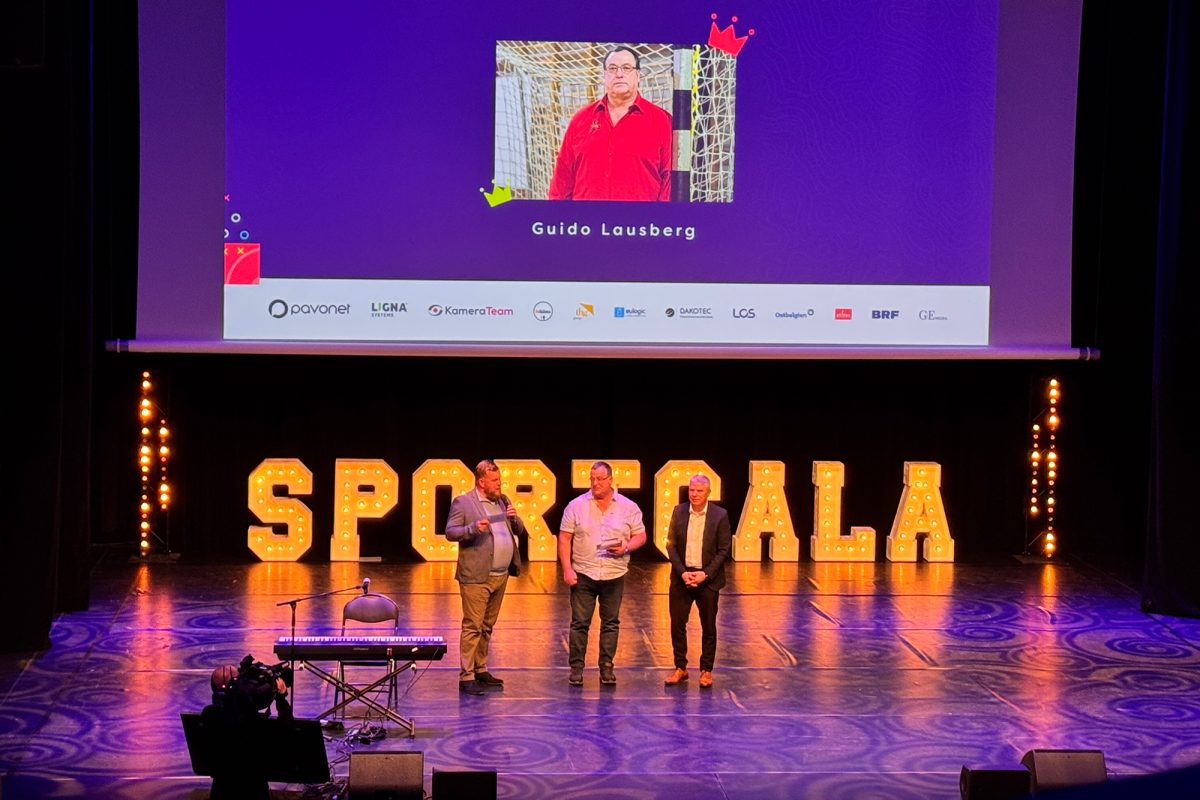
{"x": 615, "y": 122}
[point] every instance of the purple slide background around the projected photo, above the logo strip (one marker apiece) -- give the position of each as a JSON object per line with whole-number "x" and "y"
{"x": 359, "y": 136}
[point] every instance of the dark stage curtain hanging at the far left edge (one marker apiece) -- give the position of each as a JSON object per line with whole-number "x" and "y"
{"x": 50, "y": 320}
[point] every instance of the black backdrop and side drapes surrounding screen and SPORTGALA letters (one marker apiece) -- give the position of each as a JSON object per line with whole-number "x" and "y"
{"x": 71, "y": 153}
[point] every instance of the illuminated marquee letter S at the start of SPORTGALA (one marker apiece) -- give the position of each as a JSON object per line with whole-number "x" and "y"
{"x": 263, "y": 543}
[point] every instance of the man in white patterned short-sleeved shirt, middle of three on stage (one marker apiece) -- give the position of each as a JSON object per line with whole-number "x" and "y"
{"x": 599, "y": 531}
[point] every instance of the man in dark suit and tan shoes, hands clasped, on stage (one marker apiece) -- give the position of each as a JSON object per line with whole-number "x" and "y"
{"x": 699, "y": 544}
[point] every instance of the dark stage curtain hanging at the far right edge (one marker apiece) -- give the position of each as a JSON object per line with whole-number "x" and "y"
{"x": 1173, "y": 543}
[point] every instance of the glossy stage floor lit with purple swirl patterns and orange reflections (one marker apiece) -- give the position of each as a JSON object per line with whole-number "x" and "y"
{"x": 832, "y": 681}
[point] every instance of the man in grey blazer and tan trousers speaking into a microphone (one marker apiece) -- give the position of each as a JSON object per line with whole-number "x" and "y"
{"x": 487, "y": 527}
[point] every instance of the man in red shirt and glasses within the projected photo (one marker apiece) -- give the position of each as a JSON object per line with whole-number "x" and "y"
{"x": 619, "y": 148}
